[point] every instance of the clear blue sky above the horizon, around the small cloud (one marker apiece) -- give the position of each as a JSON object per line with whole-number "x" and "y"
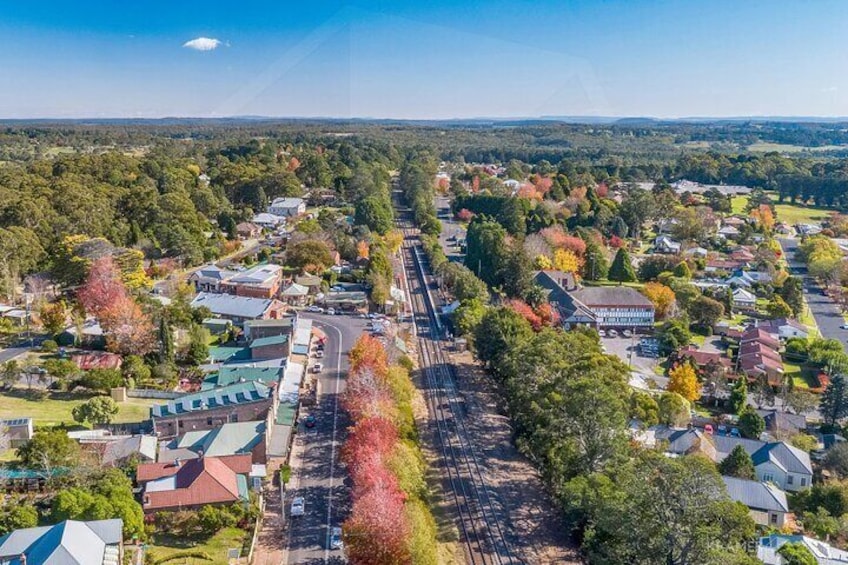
{"x": 433, "y": 59}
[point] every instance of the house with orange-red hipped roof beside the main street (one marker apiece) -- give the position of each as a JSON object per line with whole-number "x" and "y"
{"x": 182, "y": 485}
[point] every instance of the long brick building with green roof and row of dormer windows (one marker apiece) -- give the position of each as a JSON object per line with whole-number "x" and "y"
{"x": 207, "y": 409}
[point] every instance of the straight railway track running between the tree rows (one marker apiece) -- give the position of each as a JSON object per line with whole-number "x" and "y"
{"x": 478, "y": 520}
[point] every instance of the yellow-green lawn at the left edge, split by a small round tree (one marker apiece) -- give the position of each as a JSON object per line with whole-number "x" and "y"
{"x": 56, "y": 408}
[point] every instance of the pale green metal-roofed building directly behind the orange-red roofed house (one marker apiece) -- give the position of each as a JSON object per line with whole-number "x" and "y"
{"x": 237, "y": 438}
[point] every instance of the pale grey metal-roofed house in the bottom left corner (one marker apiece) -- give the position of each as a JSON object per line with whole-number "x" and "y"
{"x": 98, "y": 542}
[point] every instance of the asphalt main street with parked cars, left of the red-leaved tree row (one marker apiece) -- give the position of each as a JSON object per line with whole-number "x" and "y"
{"x": 316, "y": 474}
